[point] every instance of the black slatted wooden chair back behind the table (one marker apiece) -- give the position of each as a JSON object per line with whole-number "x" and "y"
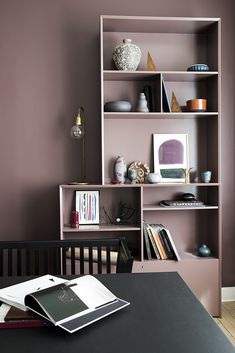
{"x": 90, "y": 256}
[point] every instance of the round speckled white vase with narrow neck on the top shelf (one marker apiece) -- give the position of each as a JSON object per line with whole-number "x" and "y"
{"x": 126, "y": 56}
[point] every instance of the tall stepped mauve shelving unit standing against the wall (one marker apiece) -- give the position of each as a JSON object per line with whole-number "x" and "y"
{"x": 174, "y": 44}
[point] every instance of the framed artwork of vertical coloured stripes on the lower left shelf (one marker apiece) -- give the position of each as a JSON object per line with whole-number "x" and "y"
{"x": 87, "y": 205}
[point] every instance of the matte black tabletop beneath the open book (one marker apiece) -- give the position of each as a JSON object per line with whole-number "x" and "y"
{"x": 164, "y": 316}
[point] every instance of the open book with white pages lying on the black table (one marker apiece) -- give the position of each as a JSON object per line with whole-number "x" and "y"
{"x": 71, "y": 305}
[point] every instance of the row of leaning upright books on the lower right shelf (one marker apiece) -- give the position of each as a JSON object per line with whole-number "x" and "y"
{"x": 159, "y": 243}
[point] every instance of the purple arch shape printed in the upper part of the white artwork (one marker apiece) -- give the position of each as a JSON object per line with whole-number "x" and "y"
{"x": 171, "y": 152}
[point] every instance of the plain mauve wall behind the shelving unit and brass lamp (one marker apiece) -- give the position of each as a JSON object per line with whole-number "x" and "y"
{"x": 49, "y": 65}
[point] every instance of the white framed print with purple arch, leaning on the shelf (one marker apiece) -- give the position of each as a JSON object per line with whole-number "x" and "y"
{"x": 171, "y": 156}
